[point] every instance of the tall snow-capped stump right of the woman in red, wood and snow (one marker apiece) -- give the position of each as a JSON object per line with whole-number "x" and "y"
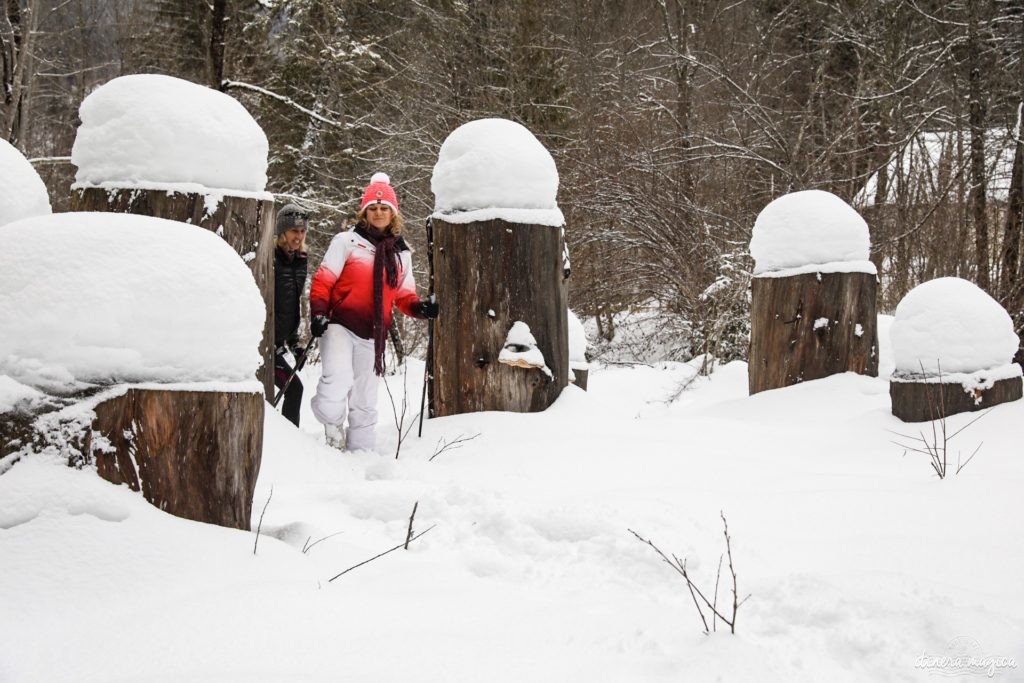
{"x": 501, "y": 341}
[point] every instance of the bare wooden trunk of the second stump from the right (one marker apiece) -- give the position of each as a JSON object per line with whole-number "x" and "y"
{"x": 791, "y": 343}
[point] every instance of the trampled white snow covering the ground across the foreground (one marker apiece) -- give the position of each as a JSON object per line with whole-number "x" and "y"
{"x": 862, "y": 566}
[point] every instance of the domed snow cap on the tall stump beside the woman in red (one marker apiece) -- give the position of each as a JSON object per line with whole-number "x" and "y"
{"x": 495, "y": 169}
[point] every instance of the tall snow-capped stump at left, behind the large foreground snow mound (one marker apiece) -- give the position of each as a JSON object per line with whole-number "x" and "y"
{"x": 158, "y": 146}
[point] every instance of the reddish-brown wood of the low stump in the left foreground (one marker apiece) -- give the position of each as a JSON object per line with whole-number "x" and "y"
{"x": 193, "y": 454}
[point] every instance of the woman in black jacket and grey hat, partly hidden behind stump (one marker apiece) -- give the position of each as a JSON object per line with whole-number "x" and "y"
{"x": 289, "y": 282}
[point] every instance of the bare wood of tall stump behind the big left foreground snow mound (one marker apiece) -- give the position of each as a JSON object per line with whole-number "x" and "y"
{"x": 247, "y": 225}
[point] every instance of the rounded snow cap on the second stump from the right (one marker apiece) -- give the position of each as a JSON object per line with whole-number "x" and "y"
{"x": 806, "y": 229}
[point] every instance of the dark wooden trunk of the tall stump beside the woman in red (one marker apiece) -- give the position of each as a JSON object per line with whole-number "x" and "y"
{"x": 488, "y": 276}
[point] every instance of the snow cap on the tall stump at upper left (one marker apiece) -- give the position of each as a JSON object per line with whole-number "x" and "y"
{"x": 152, "y": 132}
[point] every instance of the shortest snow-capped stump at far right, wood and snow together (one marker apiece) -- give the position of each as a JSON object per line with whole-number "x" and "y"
{"x": 954, "y": 348}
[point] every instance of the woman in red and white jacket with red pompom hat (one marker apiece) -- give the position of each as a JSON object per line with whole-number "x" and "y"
{"x": 366, "y": 273}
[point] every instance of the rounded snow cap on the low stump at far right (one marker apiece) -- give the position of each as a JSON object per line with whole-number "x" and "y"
{"x": 951, "y": 325}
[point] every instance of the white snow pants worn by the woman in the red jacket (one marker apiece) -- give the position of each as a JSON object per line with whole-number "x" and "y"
{"x": 348, "y": 387}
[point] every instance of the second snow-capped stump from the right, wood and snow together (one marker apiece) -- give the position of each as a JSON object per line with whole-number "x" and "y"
{"x": 814, "y": 294}
